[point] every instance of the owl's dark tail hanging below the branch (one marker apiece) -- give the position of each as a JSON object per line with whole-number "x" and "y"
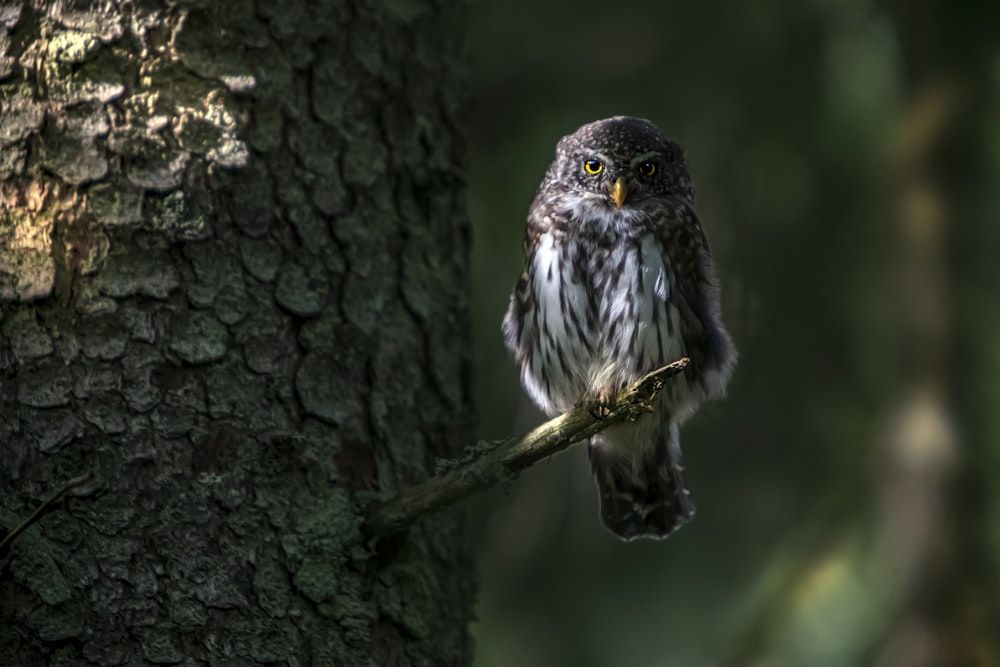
{"x": 643, "y": 496}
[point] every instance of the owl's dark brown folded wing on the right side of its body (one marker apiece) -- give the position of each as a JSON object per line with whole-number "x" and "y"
{"x": 695, "y": 294}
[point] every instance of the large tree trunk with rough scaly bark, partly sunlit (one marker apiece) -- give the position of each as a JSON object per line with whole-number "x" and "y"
{"x": 233, "y": 287}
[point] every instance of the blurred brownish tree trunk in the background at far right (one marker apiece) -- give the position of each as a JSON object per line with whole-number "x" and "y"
{"x": 938, "y": 482}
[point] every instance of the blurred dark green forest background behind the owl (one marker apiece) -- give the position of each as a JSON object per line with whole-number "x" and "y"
{"x": 846, "y": 156}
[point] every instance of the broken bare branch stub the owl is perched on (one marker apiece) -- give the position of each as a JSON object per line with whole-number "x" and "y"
{"x": 499, "y": 461}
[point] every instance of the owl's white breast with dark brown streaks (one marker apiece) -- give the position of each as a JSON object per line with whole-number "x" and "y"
{"x": 602, "y": 317}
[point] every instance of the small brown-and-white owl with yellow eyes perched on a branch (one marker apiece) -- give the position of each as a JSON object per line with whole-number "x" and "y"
{"x": 618, "y": 281}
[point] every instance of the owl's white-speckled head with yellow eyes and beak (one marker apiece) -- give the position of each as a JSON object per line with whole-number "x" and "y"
{"x": 621, "y": 163}
